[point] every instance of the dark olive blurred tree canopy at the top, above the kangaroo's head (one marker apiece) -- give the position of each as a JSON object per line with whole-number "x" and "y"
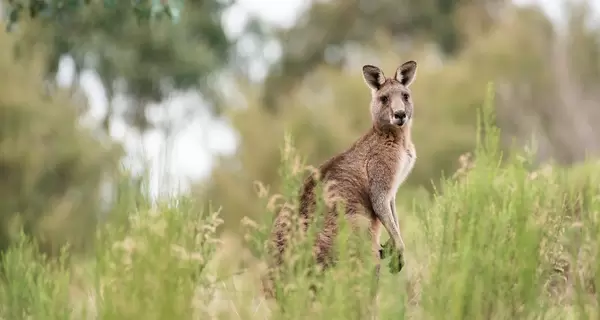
{"x": 329, "y": 31}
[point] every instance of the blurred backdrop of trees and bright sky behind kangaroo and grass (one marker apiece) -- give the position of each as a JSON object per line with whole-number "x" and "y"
{"x": 201, "y": 106}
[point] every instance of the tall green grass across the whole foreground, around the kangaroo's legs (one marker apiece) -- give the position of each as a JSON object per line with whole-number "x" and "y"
{"x": 498, "y": 240}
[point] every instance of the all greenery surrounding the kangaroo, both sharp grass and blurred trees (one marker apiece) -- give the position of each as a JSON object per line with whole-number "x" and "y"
{"x": 500, "y": 215}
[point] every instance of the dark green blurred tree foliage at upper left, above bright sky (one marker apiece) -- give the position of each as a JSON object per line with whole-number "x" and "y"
{"x": 145, "y": 63}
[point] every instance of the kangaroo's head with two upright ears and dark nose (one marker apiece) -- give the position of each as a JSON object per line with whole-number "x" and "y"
{"x": 391, "y": 102}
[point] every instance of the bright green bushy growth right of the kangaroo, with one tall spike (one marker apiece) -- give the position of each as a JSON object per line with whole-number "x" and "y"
{"x": 509, "y": 243}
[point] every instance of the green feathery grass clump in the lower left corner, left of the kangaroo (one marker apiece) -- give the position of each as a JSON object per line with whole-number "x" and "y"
{"x": 156, "y": 268}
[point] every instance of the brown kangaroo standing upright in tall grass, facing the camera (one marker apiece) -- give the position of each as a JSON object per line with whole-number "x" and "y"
{"x": 366, "y": 176}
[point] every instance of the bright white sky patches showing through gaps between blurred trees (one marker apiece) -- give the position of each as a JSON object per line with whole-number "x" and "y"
{"x": 193, "y": 147}
